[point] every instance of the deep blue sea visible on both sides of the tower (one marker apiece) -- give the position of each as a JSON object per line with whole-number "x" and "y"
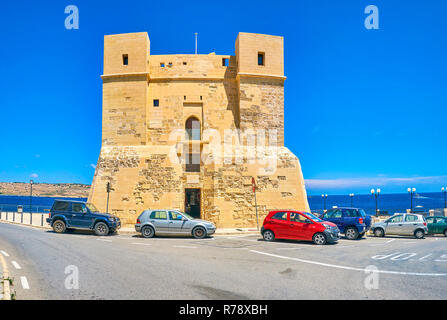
{"x": 387, "y": 203}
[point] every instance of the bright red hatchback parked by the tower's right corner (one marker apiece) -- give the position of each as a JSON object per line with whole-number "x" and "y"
{"x": 298, "y": 225}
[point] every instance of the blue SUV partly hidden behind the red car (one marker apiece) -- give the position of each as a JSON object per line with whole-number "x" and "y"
{"x": 352, "y": 222}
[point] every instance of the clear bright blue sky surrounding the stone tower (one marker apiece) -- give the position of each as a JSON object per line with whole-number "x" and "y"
{"x": 363, "y": 108}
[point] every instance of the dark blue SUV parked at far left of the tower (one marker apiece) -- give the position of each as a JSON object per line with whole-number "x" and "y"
{"x": 68, "y": 215}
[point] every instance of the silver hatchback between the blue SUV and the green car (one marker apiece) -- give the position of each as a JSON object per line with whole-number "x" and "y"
{"x": 404, "y": 224}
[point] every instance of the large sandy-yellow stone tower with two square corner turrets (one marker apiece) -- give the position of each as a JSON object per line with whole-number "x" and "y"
{"x": 189, "y": 132}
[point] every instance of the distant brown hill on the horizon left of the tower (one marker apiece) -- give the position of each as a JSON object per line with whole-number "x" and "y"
{"x": 74, "y": 190}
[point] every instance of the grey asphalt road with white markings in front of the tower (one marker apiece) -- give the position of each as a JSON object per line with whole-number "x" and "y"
{"x": 42, "y": 263}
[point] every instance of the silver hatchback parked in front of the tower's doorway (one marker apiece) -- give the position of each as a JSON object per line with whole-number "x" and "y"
{"x": 172, "y": 222}
